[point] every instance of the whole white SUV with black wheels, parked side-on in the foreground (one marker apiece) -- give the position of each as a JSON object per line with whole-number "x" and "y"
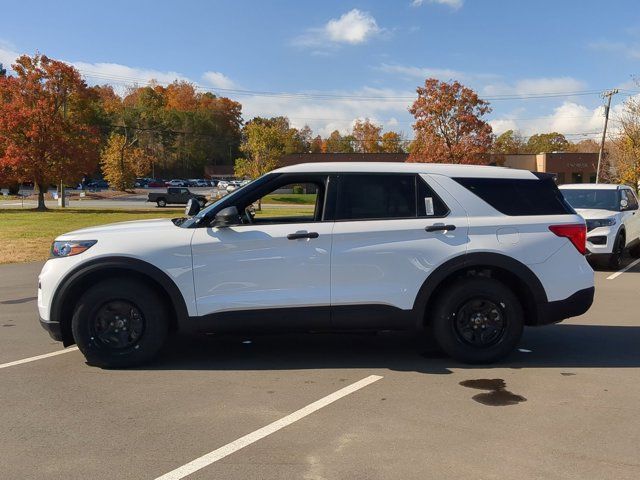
{"x": 469, "y": 254}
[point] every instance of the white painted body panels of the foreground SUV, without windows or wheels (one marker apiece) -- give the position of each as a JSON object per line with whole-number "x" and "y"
{"x": 350, "y": 262}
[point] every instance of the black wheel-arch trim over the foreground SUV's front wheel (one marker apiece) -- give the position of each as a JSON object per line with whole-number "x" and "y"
{"x": 76, "y": 277}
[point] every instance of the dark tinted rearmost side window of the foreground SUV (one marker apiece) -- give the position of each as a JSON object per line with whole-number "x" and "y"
{"x": 519, "y": 197}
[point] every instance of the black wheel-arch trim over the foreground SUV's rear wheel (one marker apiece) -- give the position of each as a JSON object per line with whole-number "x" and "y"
{"x": 480, "y": 259}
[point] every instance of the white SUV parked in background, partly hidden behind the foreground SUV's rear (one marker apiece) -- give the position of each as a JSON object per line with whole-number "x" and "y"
{"x": 613, "y": 221}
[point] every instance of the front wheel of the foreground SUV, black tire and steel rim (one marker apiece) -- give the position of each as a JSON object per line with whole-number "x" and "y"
{"x": 134, "y": 308}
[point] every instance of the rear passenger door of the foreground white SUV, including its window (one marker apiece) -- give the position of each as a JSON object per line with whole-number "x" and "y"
{"x": 391, "y": 232}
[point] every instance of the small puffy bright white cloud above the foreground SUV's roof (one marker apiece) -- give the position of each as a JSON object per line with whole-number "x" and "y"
{"x": 353, "y": 28}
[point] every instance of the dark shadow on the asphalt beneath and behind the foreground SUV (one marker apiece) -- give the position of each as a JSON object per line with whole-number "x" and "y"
{"x": 556, "y": 346}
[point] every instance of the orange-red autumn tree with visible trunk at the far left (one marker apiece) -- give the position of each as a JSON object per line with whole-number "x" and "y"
{"x": 45, "y": 130}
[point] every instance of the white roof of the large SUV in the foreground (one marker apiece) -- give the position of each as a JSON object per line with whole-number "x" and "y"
{"x": 445, "y": 169}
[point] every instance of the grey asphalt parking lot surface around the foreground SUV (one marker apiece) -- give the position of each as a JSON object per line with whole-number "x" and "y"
{"x": 564, "y": 406}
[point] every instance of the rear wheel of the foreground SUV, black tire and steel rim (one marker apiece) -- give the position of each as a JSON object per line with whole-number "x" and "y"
{"x": 494, "y": 334}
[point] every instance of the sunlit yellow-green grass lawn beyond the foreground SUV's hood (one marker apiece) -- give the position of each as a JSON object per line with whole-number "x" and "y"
{"x": 26, "y": 235}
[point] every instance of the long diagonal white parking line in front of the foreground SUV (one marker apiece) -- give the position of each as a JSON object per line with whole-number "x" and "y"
{"x": 252, "y": 437}
